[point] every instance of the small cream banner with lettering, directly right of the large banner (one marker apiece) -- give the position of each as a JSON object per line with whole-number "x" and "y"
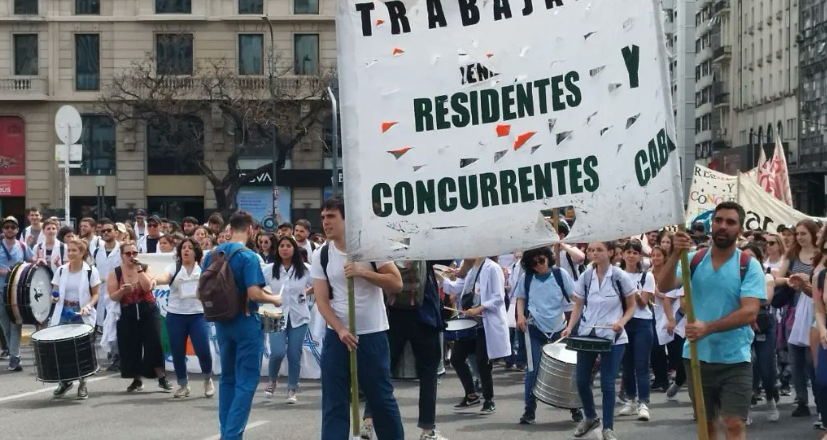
{"x": 709, "y": 188}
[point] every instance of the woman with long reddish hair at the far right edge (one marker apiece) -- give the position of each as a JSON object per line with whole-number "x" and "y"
{"x": 796, "y": 272}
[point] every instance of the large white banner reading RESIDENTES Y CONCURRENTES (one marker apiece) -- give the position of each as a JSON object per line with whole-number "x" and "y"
{"x": 463, "y": 119}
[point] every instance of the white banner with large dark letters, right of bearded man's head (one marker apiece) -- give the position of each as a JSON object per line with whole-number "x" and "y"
{"x": 764, "y": 211}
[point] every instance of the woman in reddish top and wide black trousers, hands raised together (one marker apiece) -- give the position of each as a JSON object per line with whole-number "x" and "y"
{"x": 139, "y": 326}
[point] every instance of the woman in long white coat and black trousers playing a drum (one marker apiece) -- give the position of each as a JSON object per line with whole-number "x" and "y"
{"x": 483, "y": 300}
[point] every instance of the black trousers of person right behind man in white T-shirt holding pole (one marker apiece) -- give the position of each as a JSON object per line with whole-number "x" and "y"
{"x": 424, "y": 341}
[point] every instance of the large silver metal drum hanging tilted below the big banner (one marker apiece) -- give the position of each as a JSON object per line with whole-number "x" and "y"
{"x": 554, "y": 384}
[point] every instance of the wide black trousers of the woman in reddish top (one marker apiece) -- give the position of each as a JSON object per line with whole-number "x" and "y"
{"x": 139, "y": 341}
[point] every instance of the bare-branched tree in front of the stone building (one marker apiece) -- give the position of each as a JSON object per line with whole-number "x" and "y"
{"x": 251, "y": 115}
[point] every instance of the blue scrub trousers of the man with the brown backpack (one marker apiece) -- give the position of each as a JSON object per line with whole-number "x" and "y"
{"x": 240, "y": 345}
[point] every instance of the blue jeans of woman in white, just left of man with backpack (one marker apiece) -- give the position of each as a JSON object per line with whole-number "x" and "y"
{"x": 179, "y": 327}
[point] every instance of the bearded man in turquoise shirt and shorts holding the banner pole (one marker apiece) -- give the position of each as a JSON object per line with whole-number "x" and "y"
{"x": 727, "y": 291}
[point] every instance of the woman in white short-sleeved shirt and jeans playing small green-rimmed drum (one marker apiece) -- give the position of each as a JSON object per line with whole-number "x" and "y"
{"x": 598, "y": 301}
